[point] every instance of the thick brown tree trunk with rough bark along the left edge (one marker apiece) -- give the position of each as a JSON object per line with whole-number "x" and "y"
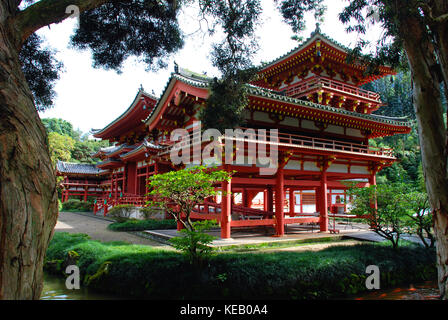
{"x": 28, "y": 196}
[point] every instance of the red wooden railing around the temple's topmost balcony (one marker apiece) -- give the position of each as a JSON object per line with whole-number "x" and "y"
{"x": 302, "y": 88}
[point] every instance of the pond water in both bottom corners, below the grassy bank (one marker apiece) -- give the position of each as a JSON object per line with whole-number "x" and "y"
{"x": 54, "y": 289}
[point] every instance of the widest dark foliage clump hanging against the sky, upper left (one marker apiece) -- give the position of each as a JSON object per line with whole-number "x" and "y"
{"x": 147, "y": 29}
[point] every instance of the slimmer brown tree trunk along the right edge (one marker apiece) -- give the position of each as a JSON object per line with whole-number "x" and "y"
{"x": 432, "y": 132}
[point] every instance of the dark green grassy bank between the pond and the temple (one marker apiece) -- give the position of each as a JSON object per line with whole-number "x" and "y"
{"x": 143, "y": 271}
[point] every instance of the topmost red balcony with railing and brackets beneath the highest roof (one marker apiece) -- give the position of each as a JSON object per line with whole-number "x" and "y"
{"x": 335, "y": 93}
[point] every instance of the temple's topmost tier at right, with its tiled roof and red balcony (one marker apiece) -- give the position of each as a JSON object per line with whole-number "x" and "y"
{"x": 318, "y": 71}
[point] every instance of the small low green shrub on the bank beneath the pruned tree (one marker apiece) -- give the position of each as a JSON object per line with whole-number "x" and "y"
{"x": 195, "y": 243}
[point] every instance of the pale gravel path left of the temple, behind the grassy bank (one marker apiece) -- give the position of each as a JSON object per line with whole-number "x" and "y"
{"x": 96, "y": 228}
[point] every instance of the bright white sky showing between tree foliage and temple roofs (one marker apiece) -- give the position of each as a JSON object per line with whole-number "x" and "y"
{"x": 91, "y": 98}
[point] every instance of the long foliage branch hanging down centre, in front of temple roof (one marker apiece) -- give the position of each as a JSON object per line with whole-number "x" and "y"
{"x": 233, "y": 57}
